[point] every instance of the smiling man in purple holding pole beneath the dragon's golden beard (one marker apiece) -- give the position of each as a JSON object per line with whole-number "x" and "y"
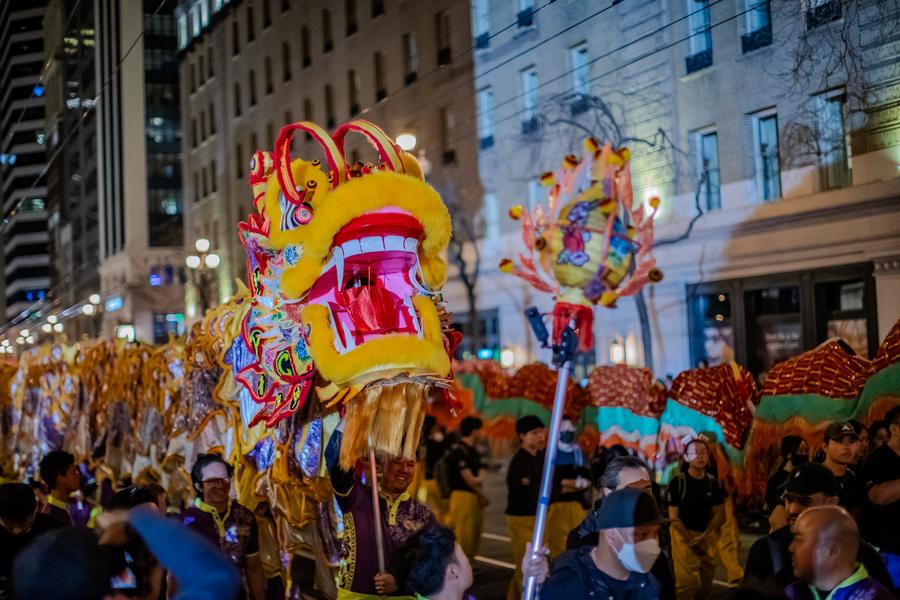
{"x": 373, "y": 533}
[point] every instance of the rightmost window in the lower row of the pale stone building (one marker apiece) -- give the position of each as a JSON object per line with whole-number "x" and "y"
{"x": 833, "y": 145}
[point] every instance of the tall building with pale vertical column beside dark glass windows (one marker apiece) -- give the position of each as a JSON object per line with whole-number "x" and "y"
{"x": 139, "y": 170}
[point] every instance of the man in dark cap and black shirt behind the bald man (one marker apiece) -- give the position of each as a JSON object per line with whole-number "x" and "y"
{"x": 769, "y": 561}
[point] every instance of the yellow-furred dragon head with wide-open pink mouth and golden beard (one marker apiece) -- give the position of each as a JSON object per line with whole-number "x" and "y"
{"x": 345, "y": 264}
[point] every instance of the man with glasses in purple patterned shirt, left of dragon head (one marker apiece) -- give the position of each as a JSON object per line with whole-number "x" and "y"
{"x": 224, "y": 522}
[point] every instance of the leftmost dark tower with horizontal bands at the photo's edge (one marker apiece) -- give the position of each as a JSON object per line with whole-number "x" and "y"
{"x": 23, "y": 158}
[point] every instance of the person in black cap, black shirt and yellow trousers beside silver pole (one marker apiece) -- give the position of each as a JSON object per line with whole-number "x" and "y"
{"x": 523, "y": 480}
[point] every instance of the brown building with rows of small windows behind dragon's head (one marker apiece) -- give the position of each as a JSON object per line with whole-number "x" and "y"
{"x": 250, "y": 67}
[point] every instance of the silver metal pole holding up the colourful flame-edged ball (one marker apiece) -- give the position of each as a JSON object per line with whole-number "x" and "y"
{"x": 562, "y": 358}
